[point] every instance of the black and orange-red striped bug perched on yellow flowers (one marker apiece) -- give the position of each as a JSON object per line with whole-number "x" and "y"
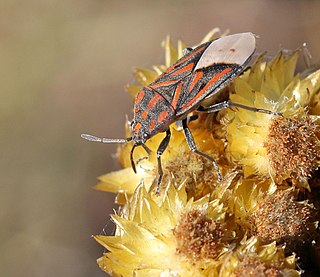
{"x": 201, "y": 73}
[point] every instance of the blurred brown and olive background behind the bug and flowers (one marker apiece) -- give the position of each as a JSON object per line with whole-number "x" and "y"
{"x": 63, "y": 69}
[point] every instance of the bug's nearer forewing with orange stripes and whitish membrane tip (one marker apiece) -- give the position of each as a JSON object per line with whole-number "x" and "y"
{"x": 220, "y": 63}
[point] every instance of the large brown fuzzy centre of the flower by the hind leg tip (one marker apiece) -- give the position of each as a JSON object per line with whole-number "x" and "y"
{"x": 293, "y": 148}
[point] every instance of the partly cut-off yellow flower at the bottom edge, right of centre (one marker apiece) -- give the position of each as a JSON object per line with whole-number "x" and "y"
{"x": 255, "y": 259}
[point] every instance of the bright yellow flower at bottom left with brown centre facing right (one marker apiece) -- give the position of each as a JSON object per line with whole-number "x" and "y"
{"x": 168, "y": 235}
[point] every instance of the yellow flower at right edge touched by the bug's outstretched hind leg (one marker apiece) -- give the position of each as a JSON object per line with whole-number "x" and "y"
{"x": 283, "y": 148}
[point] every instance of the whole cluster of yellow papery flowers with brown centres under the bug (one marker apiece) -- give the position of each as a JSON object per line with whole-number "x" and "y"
{"x": 261, "y": 219}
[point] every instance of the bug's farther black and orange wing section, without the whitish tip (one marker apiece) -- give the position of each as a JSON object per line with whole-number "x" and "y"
{"x": 169, "y": 82}
